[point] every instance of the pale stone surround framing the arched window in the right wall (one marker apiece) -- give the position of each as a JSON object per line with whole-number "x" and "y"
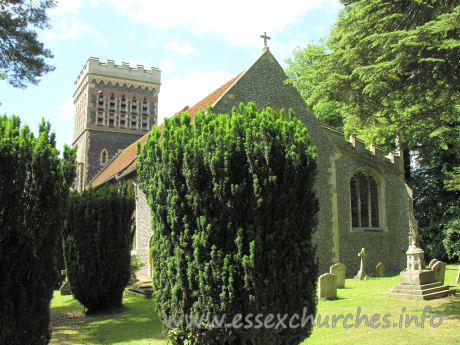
{"x": 381, "y": 200}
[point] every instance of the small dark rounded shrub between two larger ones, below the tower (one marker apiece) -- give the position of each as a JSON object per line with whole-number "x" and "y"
{"x": 97, "y": 244}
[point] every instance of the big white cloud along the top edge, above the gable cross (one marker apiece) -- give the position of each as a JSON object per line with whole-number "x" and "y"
{"x": 240, "y": 22}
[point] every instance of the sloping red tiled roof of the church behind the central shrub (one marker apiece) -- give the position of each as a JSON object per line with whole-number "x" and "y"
{"x": 127, "y": 159}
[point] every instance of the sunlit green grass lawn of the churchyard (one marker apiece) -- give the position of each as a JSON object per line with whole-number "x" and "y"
{"x": 139, "y": 324}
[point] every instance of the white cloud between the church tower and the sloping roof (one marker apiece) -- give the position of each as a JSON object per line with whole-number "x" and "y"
{"x": 188, "y": 88}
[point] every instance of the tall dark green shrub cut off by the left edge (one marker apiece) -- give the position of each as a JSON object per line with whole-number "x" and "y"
{"x": 34, "y": 186}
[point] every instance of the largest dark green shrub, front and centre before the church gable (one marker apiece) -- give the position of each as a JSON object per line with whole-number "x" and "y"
{"x": 233, "y": 213}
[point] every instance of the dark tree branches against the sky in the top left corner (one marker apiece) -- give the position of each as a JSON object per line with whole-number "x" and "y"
{"x": 22, "y": 56}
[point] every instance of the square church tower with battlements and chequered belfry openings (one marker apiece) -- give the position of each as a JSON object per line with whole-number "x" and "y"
{"x": 114, "y": 106}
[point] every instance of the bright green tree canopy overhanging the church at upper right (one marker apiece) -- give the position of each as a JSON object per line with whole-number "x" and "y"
{"x": 388, "y": 67}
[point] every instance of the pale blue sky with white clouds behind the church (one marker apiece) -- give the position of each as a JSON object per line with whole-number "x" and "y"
{"x": 198, "y": 45}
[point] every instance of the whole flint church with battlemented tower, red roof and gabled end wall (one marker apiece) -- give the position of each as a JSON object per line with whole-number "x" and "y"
{"x": 362, "y": 194}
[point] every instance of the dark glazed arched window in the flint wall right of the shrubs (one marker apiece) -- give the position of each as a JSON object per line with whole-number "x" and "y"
{"x": 365, "y": 202}
